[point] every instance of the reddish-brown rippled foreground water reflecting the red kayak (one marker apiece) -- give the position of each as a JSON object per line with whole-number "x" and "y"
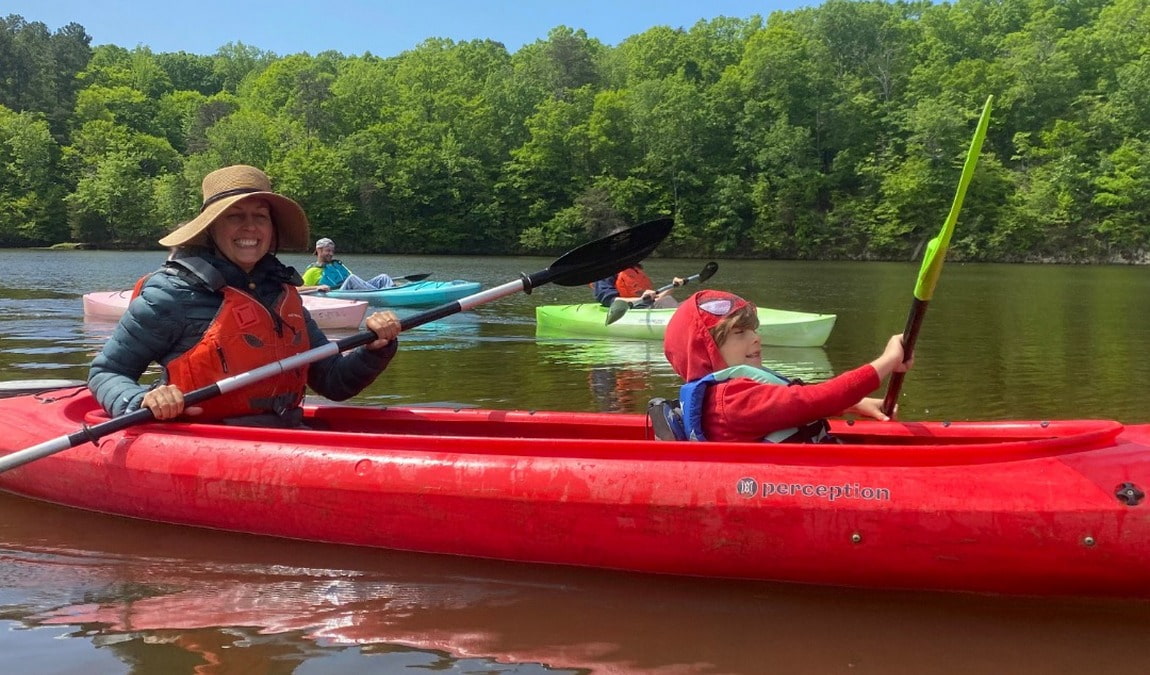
{"x": 151, "y": 597}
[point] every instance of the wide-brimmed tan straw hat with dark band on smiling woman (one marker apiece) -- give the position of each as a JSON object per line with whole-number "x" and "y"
{"x": 228, "y": 186}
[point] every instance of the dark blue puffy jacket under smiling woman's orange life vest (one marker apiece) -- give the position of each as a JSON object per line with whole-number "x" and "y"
{"x": 175, "y": 309}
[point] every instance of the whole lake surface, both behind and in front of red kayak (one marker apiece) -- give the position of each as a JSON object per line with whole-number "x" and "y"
{"x": 85, "y": 593}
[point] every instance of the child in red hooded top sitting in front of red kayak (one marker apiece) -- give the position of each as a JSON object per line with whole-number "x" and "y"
{"x": 714, "y": 344}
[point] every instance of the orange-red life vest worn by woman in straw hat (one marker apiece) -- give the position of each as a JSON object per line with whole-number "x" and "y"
{"x": 244, "y": 336}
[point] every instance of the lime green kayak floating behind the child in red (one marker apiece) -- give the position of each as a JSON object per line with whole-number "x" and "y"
{"x": 777, "y": 327}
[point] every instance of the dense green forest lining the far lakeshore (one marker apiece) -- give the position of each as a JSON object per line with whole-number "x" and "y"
{"x": 826, "y": 133}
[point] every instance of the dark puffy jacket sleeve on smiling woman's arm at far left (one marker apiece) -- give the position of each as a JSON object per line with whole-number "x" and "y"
{"x": 148, "y": 333}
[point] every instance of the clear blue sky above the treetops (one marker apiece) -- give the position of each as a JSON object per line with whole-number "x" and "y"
{"x": 385, "y": 28}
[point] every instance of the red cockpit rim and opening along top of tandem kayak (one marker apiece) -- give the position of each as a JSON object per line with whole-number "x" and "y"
{"x": 473, "y": 432}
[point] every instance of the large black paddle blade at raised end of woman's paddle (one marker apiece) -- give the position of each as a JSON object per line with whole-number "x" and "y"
{"x": 603, "y": 258}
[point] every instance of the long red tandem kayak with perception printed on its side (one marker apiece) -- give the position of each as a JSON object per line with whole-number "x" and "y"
{"x": 1011, "y": 508}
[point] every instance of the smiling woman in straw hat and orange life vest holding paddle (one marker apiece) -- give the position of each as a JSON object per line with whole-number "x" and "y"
{"x": 225, "y": 304}
